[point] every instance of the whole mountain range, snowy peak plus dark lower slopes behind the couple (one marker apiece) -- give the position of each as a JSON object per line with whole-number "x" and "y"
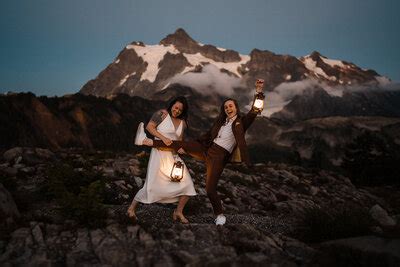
{"x": 314, "y": 105}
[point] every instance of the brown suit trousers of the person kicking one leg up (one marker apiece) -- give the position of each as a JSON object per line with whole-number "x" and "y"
{"x": 215, "y": 158}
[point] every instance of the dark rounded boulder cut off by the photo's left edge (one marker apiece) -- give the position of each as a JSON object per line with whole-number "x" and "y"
{"x": 8, "y": 209}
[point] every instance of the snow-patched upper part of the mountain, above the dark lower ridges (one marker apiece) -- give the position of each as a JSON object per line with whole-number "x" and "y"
{"x": 144, "y": 70}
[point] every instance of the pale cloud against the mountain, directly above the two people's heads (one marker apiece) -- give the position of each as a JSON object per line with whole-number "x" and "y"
{"x": 210, "y": 80}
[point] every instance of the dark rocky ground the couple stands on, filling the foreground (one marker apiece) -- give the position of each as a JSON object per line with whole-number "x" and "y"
{"x": 68, "y": 208}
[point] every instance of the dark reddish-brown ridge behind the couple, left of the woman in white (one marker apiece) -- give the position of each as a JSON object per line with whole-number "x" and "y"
{"x": 78, "y": 121}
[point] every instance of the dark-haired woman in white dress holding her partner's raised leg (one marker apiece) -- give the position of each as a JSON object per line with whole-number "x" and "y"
{"x": 166, "y": 125}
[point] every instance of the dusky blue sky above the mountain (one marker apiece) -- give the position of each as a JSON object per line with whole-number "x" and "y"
{"x": 53, "y": 47}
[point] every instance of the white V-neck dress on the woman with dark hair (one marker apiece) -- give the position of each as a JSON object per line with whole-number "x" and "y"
{"x": 158, "y": 187}
